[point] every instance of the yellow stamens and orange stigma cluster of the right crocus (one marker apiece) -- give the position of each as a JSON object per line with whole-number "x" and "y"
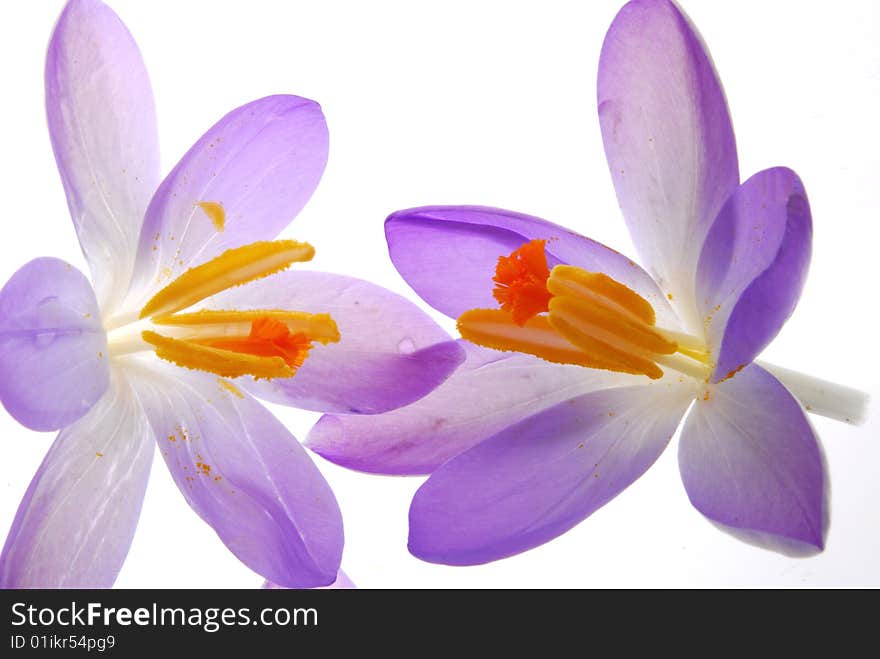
{"x": 571, "y": 316}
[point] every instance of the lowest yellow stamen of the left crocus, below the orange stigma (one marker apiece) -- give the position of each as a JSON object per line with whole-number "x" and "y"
{"x": 225, "y": 363}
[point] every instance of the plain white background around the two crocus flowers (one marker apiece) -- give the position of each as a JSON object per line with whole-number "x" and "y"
{"x": 493, "y": 103}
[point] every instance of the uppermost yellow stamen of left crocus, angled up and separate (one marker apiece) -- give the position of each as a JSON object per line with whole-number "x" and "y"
{"x": 232, "y": 268}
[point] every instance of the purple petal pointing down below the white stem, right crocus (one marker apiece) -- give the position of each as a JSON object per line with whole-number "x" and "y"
{"x": 750, "y": 461}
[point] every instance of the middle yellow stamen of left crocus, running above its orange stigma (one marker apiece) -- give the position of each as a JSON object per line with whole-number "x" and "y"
{"x": 317, "y": 327}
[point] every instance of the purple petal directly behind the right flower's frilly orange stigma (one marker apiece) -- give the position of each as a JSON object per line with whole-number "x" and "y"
{"x": 448, "y": 255}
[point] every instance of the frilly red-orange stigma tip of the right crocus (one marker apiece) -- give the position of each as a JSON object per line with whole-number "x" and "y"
{"x": 521, "y": 282}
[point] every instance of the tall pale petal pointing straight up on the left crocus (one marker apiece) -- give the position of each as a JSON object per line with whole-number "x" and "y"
{"x": 102, "y": 123}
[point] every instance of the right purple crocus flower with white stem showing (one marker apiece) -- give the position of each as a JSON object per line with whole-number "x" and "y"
{"x": 526, "y": 443}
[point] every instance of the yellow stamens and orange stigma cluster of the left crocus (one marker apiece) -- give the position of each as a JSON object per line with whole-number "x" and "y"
{"x": 263, "y": 343}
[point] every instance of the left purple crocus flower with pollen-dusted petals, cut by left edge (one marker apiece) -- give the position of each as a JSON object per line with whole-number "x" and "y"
{"x": 177, "y": 274}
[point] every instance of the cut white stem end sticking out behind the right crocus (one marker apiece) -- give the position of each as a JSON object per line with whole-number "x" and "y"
{"x": 821, "y": 396}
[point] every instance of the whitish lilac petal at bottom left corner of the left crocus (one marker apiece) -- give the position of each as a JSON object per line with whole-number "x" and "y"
{"x": 77, "y": 520}
